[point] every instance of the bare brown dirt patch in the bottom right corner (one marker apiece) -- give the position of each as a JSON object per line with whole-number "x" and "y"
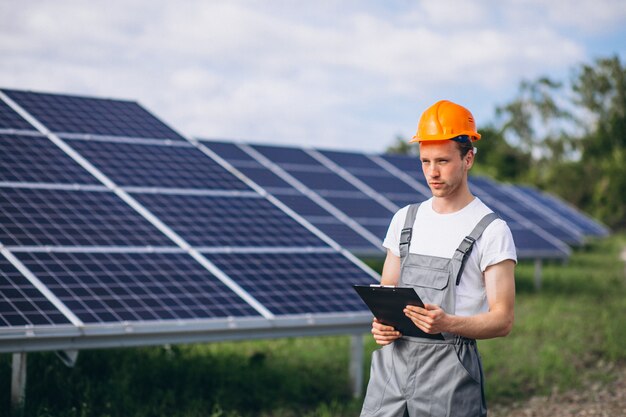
{"x": 595, "y": 399}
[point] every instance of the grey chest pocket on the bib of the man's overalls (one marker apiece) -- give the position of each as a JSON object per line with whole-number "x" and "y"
{"x": 430, "y": 279}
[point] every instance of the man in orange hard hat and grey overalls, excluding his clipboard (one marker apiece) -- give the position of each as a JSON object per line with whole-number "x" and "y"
{"x": 460, "y": 258}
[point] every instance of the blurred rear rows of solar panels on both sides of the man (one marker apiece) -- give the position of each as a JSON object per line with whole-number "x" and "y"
{"x": 369, "y": 188}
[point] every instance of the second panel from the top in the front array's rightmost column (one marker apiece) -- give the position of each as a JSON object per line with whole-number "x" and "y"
{"x": 161, "y": 166}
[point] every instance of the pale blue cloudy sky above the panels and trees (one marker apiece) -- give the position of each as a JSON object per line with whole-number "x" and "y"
{"x": 334, "y": 74}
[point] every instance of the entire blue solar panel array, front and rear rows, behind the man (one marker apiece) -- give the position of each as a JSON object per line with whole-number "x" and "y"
{"x": 113, "y": 224}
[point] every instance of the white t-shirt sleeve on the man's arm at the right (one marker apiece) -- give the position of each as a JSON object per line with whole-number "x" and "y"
{"x": 497, "y": 245}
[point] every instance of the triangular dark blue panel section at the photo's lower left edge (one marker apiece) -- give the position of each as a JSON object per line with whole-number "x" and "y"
{"x": 21, "y": 304}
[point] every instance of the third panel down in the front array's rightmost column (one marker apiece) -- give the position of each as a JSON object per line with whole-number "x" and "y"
{"x": 228, "y": 221}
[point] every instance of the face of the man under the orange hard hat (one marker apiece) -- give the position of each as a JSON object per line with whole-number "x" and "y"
{"x": 443, "y": 167}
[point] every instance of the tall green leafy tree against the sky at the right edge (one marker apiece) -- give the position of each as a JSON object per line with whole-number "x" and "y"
{"x": 576, "y": 136}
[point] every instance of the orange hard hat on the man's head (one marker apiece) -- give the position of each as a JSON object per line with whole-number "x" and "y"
{"x": 445, "y": 120}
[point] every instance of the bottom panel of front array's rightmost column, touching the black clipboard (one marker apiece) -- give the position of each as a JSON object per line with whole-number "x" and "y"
{"x": 297, "y": 283}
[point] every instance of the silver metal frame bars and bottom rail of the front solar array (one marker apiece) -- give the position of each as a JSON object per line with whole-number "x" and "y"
{"x": 82, "y": 335}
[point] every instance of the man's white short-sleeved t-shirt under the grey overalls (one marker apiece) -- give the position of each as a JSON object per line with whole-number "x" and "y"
{"x": 440, "y": 235}
